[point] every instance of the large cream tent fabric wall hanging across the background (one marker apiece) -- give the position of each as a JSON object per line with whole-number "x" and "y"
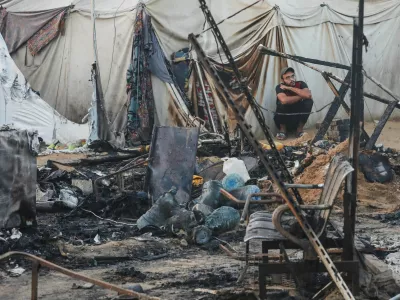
{"x": 311, "y": 28}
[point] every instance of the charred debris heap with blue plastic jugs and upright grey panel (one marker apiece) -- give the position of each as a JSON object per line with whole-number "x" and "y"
{"x": 170, "y": 188}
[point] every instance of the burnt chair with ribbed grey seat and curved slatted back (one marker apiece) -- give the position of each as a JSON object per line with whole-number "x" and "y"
{"x": 273, "y": 233}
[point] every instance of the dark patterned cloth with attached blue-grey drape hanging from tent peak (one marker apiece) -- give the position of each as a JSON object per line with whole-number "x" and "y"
{"x": 147, "y": 59}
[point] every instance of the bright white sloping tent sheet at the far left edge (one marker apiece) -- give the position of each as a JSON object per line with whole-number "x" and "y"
{"x": 24, "y": 109}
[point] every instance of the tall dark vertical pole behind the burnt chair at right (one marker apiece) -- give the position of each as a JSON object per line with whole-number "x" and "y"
{"x": 357, "y": 105}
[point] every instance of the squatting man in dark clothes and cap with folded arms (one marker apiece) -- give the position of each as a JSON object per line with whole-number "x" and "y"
{"x": 293, "y": 104}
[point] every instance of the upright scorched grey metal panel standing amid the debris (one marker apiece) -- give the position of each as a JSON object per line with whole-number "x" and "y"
{"x": 172, "y": 162}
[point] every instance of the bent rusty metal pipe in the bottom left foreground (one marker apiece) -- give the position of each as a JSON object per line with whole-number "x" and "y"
{"x": 50, "y": 265}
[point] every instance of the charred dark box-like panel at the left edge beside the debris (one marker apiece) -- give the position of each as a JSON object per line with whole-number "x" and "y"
{"x": 17, "y": 179}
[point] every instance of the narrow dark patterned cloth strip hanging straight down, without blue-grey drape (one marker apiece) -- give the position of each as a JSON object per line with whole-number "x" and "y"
{"x": 140, "y": 93}
